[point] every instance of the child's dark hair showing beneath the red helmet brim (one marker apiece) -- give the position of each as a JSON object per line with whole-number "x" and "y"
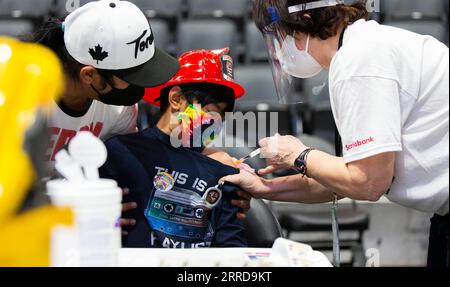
{"x": 203, "y": 93}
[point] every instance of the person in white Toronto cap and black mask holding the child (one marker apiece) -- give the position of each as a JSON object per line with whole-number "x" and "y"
{"x": 108, "y": 52}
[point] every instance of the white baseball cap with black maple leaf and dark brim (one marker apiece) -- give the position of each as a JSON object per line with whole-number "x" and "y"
{"x": 115, "y": 35}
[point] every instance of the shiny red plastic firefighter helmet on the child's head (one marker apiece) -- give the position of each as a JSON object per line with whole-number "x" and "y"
{"x": 201, "y": 66}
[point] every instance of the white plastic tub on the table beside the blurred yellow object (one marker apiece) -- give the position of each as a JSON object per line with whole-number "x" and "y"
{"x": 95, "y": 240}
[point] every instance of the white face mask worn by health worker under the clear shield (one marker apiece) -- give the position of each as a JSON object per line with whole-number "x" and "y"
{"x": 295, "y": 62}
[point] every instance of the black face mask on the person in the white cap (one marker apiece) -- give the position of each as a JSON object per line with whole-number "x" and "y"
{"x": 126, "y": 97}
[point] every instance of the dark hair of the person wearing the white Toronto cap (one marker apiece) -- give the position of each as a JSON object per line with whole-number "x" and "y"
{"x": 51, "y": 35}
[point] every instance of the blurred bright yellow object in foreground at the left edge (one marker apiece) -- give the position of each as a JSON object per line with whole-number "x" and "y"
{"x": 30, "y": 78}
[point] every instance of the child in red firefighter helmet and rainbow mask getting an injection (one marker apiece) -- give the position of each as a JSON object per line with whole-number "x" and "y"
{"x": 180, "y": 201}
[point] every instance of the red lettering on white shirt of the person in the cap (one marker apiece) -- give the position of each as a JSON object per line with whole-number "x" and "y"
{"x": 60, "y": 137}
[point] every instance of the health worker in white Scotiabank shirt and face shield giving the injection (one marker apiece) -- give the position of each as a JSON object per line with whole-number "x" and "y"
{"x": 389, "y": 92}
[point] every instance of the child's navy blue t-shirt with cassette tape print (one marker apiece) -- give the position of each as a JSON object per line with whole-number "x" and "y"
{"x": 180, "y": 217}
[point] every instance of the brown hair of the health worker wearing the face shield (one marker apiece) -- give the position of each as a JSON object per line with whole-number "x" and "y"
{"x": 321, "y": 22}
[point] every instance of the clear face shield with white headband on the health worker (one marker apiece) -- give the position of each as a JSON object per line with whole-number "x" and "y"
{"x": 290, "y": 61}
